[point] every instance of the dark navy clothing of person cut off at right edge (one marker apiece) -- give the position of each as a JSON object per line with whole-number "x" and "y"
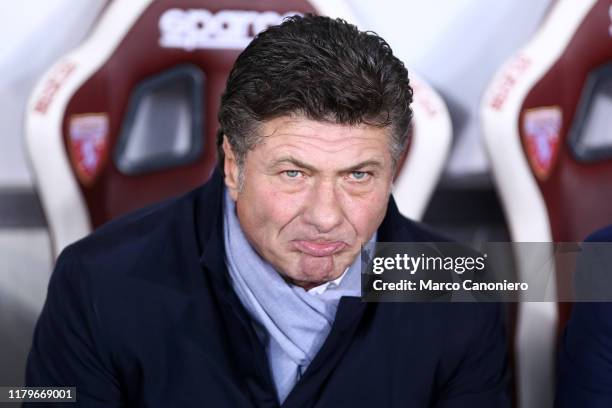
{"x": 585, "y": 349}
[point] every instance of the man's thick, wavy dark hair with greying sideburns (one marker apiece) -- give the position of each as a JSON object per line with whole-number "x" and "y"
{"x": 324, "y": 69}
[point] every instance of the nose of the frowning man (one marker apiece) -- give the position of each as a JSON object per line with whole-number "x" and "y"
{"x": 324, "y": 210}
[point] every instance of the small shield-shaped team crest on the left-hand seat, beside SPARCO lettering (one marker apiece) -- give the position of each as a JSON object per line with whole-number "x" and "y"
{"x": 88, "y": 142}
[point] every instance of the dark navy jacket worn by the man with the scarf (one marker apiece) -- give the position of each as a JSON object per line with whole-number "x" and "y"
{"x": 141, "y": 313}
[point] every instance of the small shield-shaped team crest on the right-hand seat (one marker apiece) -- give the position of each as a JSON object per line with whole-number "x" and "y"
{"x": 540, "y": 130}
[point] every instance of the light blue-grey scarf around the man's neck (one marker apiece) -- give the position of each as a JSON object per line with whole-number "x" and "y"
{"x": 291, "y": 323}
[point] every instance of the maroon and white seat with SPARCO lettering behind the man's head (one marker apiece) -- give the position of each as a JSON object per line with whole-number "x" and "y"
{"x": 130, "y": 116}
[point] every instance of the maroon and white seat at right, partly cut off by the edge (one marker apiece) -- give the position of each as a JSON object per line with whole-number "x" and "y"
{"x": 546, "y": 127}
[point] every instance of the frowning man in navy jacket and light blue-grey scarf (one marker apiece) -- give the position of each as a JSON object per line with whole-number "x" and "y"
{"x": 245, "y": 292}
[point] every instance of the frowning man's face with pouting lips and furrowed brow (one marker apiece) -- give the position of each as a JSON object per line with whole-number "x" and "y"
{"x": 313, "y": 193}
